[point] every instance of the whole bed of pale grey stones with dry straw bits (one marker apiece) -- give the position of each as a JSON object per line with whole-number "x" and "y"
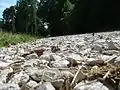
{"x": 75, "y": 62}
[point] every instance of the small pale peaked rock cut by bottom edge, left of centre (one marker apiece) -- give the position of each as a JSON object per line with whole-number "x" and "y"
{"x": 46, "y": 86}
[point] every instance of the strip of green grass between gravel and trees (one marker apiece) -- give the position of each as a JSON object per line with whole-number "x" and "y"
{"x": 7, "y": 38}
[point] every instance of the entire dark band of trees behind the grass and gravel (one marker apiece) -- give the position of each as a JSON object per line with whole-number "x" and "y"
{"x": 61, "y": 17}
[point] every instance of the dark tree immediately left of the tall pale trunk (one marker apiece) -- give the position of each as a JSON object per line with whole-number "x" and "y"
{"x": 24, "y": 16}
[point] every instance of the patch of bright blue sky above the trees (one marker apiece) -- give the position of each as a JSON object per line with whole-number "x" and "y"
{"x": 5, "y": 4}
